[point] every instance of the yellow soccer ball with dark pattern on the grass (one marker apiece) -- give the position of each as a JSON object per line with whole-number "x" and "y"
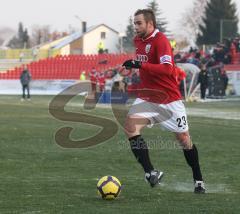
{"x": 108, "y": 187}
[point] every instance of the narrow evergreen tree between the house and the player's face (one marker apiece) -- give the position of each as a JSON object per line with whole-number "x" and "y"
{"x": 128, "y": 39}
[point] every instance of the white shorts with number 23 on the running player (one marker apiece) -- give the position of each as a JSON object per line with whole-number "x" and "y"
{"x": 171, "y": 116}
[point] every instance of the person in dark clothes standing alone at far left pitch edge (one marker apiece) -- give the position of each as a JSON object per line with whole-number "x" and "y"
{"x": 25, "y": 79}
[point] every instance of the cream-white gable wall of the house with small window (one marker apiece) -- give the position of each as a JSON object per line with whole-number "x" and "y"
{"x": 92, "y": 39}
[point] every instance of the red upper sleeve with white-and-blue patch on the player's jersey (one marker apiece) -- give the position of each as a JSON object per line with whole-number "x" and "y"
{"x": 164, "y": 51}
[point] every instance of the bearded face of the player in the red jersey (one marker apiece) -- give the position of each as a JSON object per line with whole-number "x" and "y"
{"x": 142, "y": 28}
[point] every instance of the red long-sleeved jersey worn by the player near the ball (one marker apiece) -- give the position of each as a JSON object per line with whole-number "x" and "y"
{"x": 156, "y": 86}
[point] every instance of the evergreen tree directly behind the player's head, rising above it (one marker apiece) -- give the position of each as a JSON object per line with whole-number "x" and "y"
{"x": 161, "y": 22}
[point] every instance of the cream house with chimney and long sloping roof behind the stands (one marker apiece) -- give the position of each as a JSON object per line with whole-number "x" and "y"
{"x": 87, "y": 41}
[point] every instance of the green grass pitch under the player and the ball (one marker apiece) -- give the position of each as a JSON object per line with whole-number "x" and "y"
{"x": 38, "y": 176}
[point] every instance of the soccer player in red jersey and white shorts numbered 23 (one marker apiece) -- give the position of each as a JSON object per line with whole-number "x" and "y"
{"x": 159, "y": 100}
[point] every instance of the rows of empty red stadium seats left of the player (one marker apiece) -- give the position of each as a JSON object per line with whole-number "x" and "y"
{"x": 68, "y": 67}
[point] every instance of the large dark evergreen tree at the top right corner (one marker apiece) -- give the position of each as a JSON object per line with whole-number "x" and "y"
{"x": 220, "y": 21}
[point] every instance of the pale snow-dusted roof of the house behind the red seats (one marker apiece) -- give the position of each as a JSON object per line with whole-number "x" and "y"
{"x": 78, "y": 35}
